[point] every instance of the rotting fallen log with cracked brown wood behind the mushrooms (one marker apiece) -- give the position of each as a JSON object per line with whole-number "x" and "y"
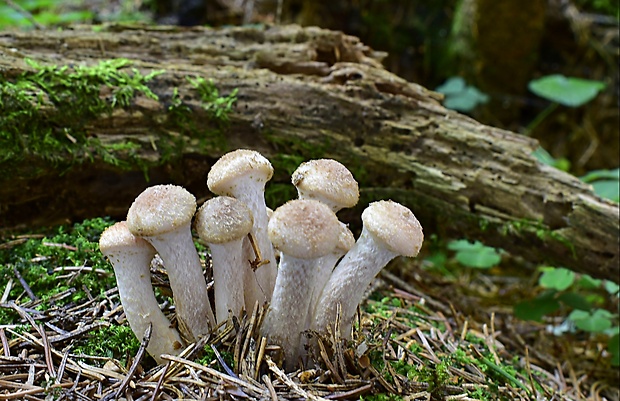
{"x": 311, "y": 93}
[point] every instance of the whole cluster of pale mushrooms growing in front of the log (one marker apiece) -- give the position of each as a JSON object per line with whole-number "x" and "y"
{"x": 299, "y": 261}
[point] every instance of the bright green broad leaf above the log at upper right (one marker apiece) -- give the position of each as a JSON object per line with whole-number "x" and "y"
{"x": 568, "y": 91}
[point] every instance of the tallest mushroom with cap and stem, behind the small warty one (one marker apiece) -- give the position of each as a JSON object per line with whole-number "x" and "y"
{"x": 242, "y": 174}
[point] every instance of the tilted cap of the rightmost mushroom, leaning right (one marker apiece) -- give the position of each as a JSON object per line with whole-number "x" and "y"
{"x": 395, "y": 226}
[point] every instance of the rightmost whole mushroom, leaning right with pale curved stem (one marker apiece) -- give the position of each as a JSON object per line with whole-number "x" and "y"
{"x": 389, "y": 230}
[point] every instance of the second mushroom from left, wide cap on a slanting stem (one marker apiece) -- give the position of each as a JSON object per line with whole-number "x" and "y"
{"x": 162, "y": 215}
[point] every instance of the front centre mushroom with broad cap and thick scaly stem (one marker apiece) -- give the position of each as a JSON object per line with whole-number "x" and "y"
{"x": 303, "y": 231}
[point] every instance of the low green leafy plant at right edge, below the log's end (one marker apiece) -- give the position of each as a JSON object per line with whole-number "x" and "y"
{"x": 584, "y": 296}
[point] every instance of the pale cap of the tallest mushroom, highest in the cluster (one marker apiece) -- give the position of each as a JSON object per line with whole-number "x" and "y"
{"x": 233, "y": 166}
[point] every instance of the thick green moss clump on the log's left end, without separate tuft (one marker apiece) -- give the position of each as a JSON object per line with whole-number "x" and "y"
{"x": 30, "y": 128}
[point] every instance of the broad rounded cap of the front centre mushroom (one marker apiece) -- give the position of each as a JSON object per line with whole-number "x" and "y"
{"x": 304, "y": 229}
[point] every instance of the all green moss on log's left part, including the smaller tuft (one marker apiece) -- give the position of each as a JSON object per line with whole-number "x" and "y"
{"x": 47, "y": 113}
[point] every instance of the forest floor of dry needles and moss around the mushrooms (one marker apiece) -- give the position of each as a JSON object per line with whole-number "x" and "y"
{"x": 430, "y": 329}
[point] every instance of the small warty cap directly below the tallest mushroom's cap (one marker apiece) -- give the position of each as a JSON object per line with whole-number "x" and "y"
{"x": 223, "y": 219}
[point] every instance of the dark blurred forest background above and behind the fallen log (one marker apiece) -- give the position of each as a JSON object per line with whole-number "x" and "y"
{"x": 487, "y": 57}
